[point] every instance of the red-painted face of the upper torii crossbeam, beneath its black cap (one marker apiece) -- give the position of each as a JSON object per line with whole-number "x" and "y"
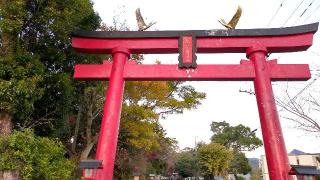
{"x": 274, "y": 44}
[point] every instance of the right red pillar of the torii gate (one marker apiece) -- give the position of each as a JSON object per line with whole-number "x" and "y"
{"x": 278, "y": 162}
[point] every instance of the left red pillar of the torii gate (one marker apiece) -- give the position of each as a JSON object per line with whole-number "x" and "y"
{"x": 109, "y": 130}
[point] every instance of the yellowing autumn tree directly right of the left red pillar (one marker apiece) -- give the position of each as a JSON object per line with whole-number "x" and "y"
{"x": 141, "y": 136}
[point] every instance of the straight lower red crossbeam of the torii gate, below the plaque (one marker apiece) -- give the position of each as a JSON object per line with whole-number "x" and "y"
{"x": 159, "y": 72}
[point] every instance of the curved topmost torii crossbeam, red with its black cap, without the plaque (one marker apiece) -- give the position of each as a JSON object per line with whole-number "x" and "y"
{"x": 289, "y": 39}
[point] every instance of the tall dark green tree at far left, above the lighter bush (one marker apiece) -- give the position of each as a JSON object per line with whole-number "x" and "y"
{"x": 37, "y": 33}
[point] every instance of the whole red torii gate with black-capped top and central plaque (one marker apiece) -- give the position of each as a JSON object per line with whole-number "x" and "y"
{"x": 256, "y": 43}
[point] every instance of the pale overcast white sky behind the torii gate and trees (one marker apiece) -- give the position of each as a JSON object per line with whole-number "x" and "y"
{"x": 224, "y": 101}
